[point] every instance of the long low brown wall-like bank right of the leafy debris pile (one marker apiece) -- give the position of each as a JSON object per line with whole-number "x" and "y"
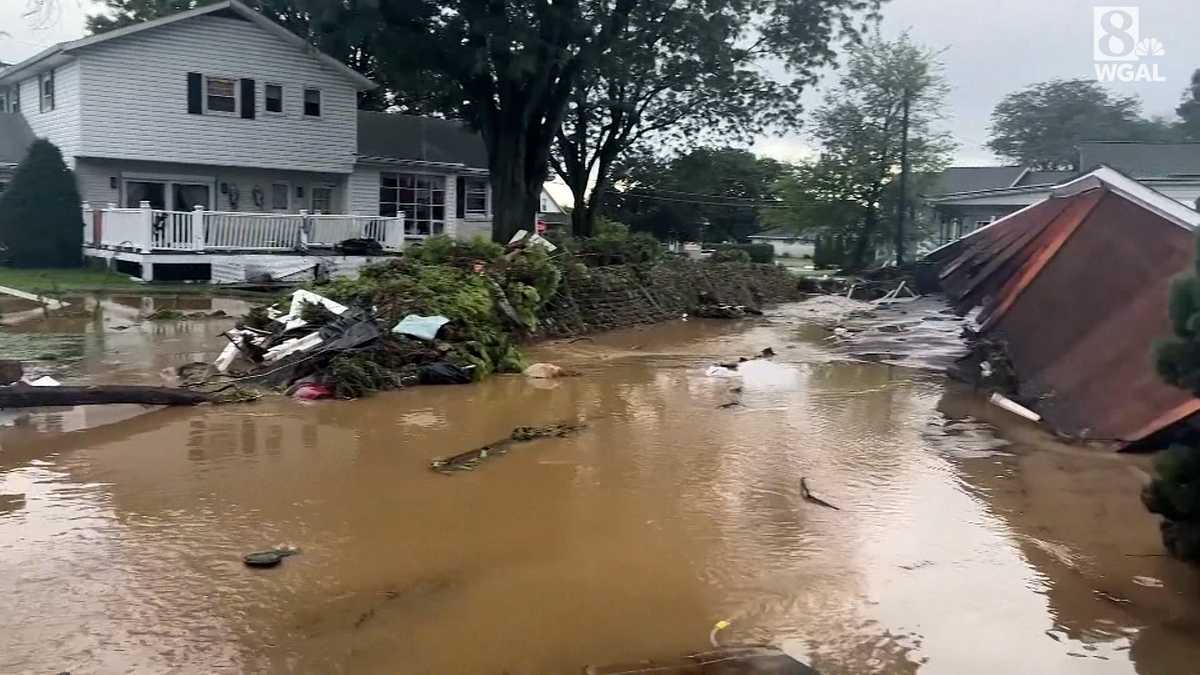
{"x": 621, "y": 296}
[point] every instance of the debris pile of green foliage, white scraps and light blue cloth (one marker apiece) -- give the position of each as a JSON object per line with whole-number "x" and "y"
{"x": 447, "y": 313}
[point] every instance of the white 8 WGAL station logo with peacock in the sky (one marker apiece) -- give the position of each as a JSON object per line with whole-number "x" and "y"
{"x": 1120, "y": 52}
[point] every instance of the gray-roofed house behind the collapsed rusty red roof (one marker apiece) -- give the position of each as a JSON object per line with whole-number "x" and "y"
{"x": 962, "y": 200}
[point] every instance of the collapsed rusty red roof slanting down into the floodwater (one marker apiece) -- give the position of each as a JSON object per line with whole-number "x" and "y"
{"x": 1077, "y": 289}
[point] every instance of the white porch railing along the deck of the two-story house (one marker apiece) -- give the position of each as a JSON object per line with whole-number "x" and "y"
{"x": 148, "y": 230}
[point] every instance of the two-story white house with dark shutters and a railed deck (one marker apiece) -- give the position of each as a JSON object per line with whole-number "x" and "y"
{"x": 215, "y": 134}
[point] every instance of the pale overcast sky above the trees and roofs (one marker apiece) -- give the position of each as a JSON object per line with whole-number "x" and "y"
{"x": 993, "y": 47}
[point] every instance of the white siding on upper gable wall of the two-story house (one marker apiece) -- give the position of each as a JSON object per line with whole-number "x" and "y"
{"x": 136, "y": 100}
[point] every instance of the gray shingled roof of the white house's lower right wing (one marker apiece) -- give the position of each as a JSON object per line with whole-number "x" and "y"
{"x": 429, "y": 140}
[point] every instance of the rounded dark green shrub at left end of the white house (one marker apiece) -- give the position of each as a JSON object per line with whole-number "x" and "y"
{"x": 40, "y": 213}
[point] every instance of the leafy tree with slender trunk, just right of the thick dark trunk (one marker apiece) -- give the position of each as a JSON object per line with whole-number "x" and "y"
{"x": 691, "y": 74}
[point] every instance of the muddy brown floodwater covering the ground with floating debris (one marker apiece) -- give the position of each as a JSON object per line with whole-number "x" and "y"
{"x": 965, "y": 543}
